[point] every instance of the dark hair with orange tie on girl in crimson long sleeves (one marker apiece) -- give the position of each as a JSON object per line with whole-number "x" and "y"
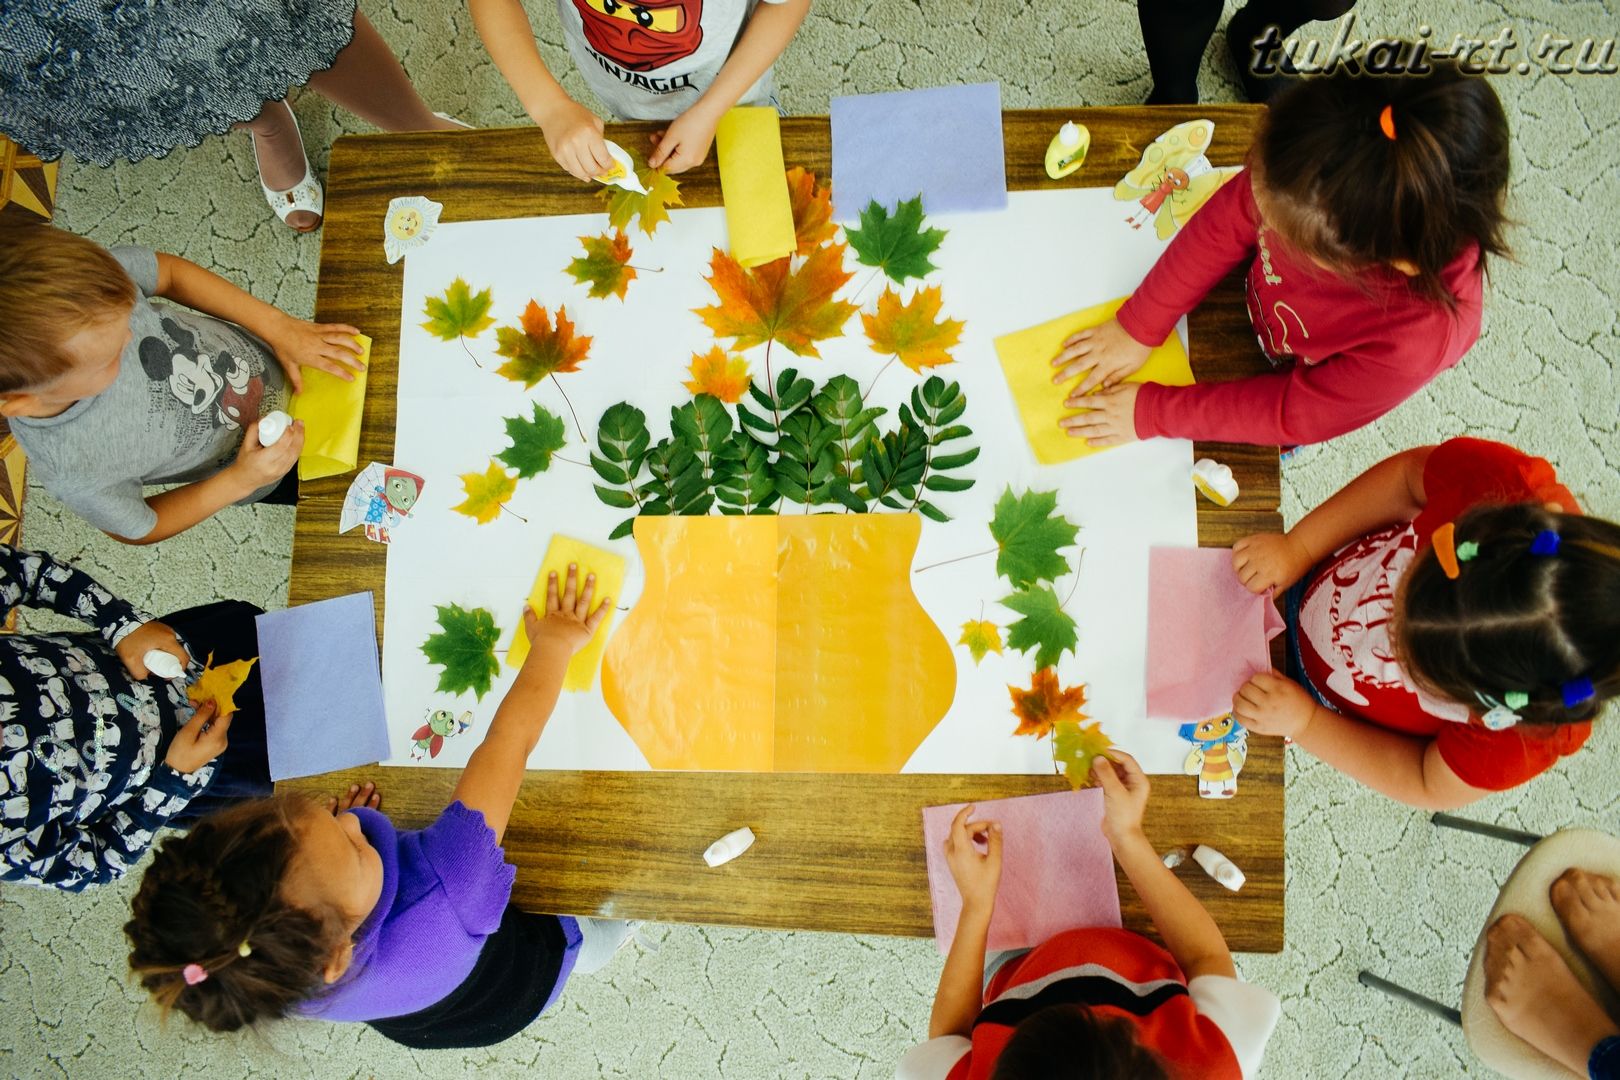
{"x": 1342, "y": 192}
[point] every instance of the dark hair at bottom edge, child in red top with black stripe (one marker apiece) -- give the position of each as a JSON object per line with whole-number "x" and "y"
{"x": 1076, "y": 1044}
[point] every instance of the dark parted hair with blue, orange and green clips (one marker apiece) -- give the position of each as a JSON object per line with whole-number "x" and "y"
{"x": 1516, "y": 621}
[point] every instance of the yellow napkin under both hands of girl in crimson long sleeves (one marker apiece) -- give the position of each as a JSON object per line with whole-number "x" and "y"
{"x": 1026, "y": 362}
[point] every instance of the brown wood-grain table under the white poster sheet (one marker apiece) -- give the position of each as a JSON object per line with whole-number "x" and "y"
{"x": 835, "y": 853}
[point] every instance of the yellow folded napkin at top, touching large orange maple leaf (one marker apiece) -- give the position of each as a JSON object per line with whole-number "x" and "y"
{"x": 754, "y": 182}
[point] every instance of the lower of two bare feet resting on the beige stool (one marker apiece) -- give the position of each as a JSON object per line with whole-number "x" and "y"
{"x": 1537, "y": 997}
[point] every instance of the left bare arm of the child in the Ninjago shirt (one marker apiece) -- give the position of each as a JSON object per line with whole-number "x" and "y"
{"x": 574, "y": 134}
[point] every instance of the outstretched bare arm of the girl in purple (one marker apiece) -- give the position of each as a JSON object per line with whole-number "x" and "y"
{"x": 497, "y": 770}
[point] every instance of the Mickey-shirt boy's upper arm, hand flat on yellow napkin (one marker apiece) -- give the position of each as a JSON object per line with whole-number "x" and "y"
{"x": 326, "y": 346}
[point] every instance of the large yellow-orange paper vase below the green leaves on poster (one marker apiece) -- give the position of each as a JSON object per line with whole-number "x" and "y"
{"x": 778, "y": 644}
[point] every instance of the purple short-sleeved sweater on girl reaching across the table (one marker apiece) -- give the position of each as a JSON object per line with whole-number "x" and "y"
{"x": 443, "y": 893}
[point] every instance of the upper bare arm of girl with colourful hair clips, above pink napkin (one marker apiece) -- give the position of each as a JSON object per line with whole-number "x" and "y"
{"x": 1388, "y": 493}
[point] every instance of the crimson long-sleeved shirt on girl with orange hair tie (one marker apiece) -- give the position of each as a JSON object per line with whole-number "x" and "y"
{"x": 1347, "y": 351}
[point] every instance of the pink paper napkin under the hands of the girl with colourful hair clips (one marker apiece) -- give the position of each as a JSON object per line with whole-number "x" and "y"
{"x": 1206, "y": 634}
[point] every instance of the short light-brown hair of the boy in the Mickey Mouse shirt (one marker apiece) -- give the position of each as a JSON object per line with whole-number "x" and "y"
{"x": 53, "y": 286}
